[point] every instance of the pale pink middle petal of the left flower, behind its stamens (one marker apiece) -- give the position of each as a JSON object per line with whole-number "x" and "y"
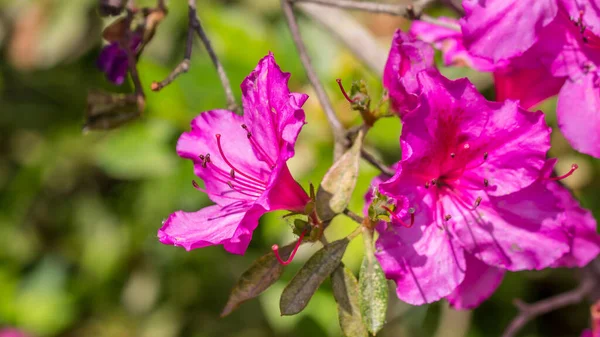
{"x": 236, "y": 148}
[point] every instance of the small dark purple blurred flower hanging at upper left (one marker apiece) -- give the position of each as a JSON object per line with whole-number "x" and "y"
{"x": 113, "y": 59}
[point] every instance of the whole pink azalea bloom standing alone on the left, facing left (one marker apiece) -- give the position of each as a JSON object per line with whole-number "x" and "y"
{"x": 242, "y": 160}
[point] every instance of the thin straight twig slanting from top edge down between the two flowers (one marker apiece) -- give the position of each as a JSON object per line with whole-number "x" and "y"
{"x": 334, "y": 123}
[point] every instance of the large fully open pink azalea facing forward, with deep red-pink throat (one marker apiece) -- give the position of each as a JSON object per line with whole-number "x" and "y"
{"x": 473, "y": 197}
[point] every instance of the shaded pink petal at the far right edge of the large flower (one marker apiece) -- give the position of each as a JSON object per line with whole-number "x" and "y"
{"x": 580, "y": 227}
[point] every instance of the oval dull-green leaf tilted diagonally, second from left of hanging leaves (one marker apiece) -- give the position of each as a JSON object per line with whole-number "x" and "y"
{"x": 305, "y": 283}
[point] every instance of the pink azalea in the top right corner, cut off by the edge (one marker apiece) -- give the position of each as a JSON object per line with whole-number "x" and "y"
{"x": 554, "y": 42}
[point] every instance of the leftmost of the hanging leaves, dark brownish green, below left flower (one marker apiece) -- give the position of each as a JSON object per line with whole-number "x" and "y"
{"x": 263, "y": 272}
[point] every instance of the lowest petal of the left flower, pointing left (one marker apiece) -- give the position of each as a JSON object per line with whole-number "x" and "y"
{"x": 230, "y": 226}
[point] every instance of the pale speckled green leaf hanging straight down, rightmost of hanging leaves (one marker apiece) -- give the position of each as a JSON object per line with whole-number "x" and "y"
{"x": 373, "y": 288}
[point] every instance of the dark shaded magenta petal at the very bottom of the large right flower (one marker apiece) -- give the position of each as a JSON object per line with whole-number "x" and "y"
{"x": 481, "y": 280}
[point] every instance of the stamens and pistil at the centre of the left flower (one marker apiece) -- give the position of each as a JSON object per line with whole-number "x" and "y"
{"x": 237, "y": 180}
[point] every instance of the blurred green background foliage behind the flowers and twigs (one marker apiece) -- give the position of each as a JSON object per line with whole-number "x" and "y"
{"x": 79, "y": 212}
